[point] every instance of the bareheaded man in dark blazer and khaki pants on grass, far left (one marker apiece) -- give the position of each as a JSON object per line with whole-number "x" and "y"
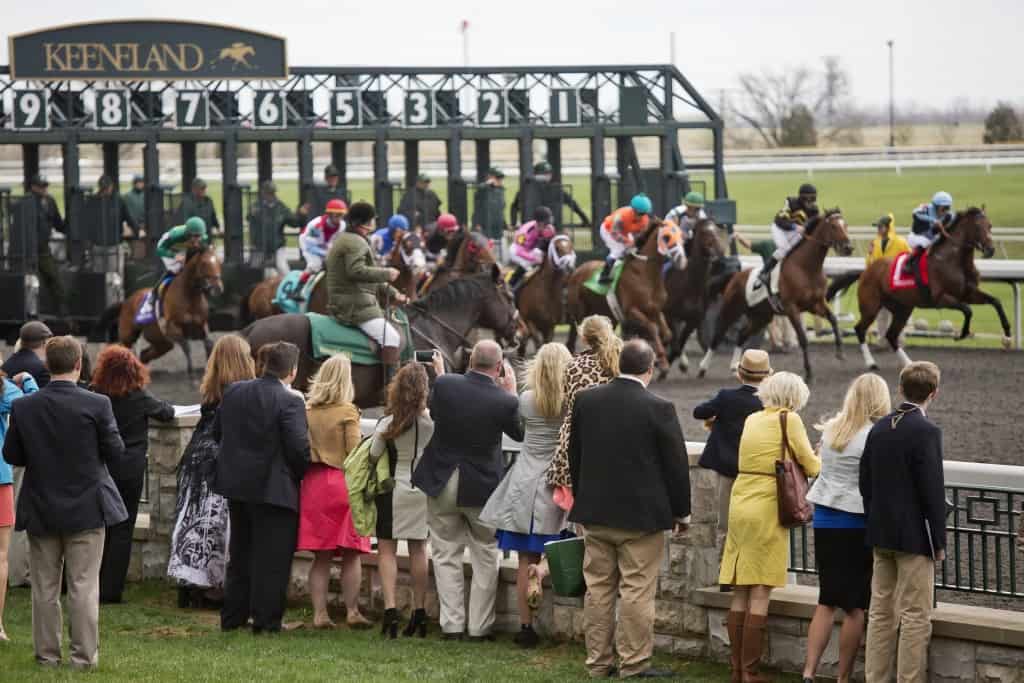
{"x": 64, "y": 437}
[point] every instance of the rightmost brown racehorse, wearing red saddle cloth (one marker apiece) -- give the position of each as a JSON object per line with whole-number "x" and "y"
{"x": 953, "y": 280}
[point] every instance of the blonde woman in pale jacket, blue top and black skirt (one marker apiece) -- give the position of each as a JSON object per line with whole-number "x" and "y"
{"x": 841, "y": 553}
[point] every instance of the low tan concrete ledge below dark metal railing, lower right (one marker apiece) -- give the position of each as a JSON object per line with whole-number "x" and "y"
{"x": 983, "y": 625}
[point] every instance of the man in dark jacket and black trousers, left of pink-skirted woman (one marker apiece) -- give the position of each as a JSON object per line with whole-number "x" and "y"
{"x": 265, "y": 452}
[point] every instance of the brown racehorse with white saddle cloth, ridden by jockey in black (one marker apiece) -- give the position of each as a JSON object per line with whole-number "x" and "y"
{"x": 801, "y": 289}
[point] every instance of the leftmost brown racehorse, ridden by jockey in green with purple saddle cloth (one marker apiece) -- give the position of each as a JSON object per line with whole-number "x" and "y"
{"x": 185, "y": 310}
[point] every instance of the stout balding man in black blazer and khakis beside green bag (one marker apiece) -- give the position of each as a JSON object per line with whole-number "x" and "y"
{"x": 631, "y": 484}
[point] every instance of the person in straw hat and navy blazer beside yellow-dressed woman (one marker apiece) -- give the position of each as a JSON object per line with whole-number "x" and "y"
{"x": 727, "y": 414}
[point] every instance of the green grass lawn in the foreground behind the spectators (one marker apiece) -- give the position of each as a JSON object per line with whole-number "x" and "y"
{"x": 149, "y": 639}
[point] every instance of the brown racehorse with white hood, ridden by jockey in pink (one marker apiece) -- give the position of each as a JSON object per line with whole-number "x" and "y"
{"x": 540, "y": 298}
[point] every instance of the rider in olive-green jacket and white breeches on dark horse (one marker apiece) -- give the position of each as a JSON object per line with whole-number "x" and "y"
{"x": 356, "y": 284}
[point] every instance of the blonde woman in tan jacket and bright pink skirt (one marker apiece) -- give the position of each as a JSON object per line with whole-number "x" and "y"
{"x": 325, "y": 519}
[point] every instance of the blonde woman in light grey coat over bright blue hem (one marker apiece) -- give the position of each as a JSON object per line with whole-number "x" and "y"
{"x": 523, "y": 508}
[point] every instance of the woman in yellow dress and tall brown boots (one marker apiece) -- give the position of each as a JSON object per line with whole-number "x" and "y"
{"x": 757, "y": 546}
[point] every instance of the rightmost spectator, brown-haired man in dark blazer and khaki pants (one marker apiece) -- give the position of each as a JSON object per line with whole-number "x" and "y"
{"x": 903, "y": 485}
